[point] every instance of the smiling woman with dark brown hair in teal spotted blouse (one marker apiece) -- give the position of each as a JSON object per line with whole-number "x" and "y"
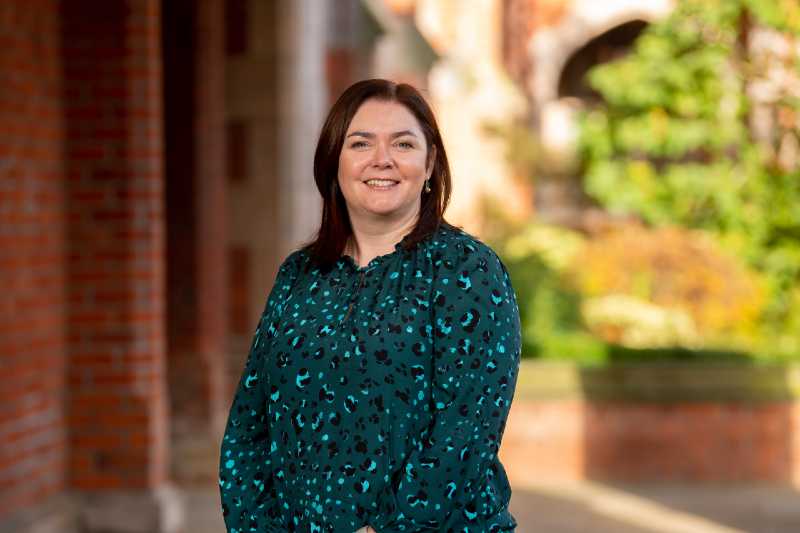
{"x": 380, "y": 376}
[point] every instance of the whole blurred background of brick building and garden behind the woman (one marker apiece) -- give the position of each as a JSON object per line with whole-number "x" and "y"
{"x": 635, "y": 163}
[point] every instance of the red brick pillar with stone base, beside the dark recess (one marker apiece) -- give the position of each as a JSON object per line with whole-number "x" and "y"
{"x": 118, "y": 414}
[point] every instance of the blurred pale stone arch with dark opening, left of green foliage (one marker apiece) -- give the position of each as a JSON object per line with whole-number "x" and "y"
{"x": 560, "y": 55}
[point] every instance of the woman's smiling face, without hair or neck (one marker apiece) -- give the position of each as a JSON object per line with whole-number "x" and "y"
{"x": 382, "y": 165}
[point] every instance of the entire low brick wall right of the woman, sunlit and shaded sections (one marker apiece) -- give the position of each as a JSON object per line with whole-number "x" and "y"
{"x": 707, "y": 442}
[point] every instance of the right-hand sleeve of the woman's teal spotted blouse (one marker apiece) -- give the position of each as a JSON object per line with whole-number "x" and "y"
{"x": 451, "y": 479}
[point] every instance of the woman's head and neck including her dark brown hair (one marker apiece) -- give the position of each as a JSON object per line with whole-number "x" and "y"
{"x": 377, "y": 130}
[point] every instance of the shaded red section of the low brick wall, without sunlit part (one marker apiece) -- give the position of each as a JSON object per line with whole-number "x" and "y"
{"x": 692, "y": 441}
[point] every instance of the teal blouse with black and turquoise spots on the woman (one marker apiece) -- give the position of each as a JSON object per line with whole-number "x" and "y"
{"x": 377, "y": 395}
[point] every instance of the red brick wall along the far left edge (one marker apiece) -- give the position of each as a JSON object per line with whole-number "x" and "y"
{"x": 32, "y": 339}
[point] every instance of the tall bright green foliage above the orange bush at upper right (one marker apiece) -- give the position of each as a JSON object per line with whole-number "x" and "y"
{"x": 674, "y": 143}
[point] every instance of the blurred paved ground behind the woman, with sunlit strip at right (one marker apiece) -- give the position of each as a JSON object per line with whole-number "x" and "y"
{"x": 603, "y": 508}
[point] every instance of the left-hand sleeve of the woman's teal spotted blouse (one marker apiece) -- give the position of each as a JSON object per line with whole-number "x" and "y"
{"x": 246, "y": 492}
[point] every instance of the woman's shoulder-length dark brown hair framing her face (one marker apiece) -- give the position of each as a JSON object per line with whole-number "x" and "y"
{"x": 335, "y": 228}
